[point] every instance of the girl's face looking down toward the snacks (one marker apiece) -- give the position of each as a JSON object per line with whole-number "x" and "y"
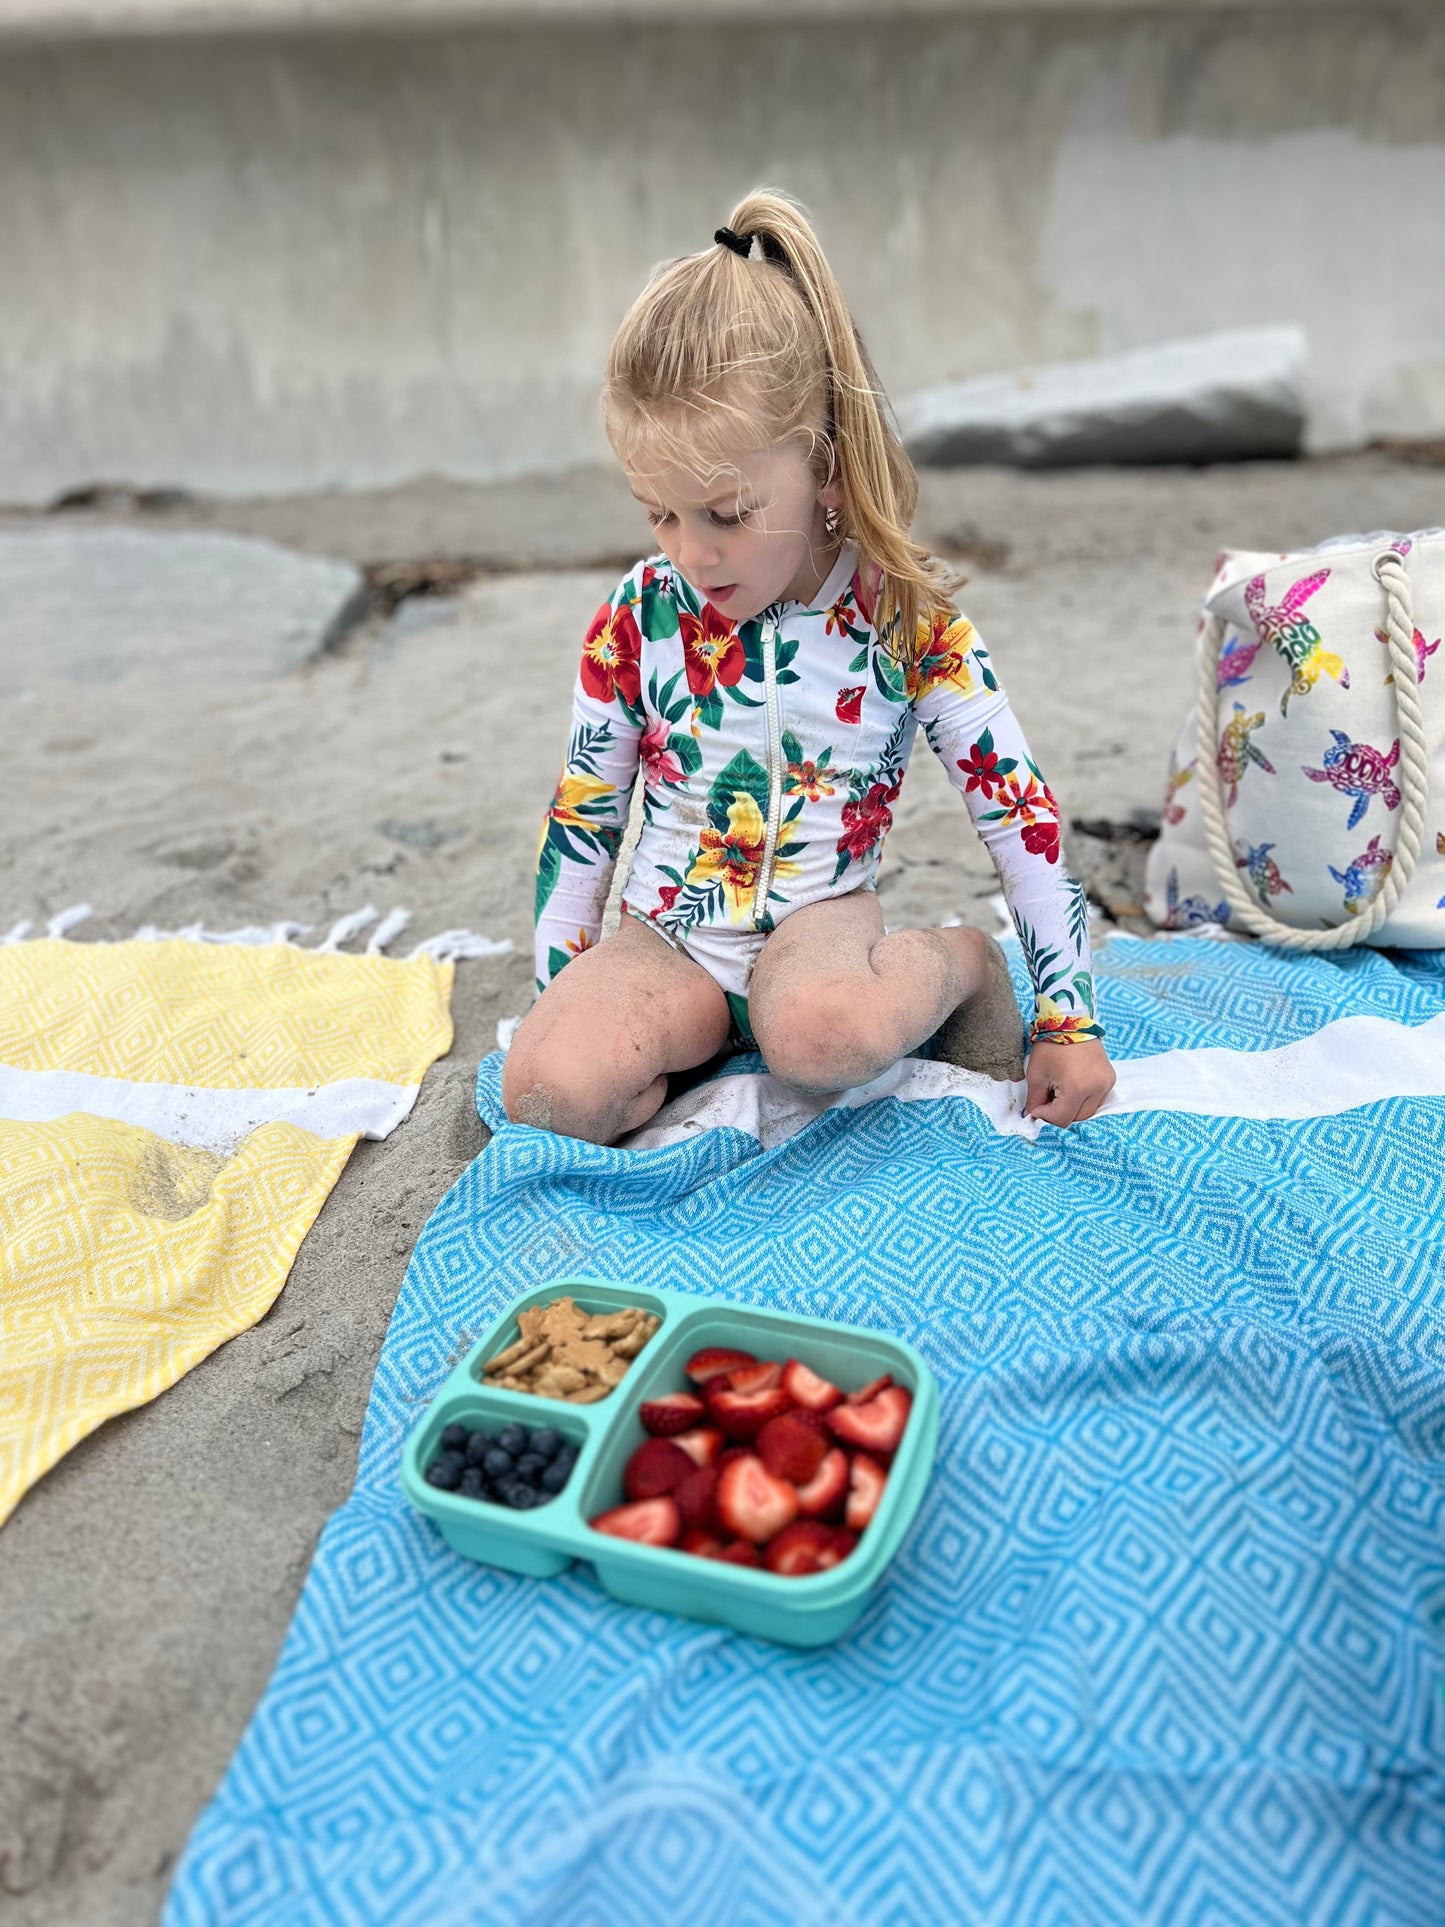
{"x": 749, "y": 533}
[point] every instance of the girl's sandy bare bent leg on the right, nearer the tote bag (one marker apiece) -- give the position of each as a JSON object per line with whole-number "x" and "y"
{"x": 833, "y": 1003}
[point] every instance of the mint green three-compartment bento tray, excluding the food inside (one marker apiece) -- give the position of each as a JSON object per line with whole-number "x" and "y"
{"x": 546, "y": 1541}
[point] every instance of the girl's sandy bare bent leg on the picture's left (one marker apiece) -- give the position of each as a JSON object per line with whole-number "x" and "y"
{"x": 594, "y": 1051}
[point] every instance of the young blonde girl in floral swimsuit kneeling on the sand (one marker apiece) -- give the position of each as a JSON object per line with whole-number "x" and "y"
{"x": 768, "y": 673}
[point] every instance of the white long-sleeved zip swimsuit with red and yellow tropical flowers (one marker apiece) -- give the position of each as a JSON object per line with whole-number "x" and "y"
{"x": 772, "y": 756}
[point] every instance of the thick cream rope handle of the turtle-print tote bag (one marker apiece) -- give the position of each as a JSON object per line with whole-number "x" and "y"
{"x": 1415, "y": 778}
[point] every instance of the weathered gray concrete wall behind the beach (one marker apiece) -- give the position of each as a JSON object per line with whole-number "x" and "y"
{"x": 265, "y": 263}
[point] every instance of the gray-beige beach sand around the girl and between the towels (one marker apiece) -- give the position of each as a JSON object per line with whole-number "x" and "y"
{"x": 147, "y": 1583}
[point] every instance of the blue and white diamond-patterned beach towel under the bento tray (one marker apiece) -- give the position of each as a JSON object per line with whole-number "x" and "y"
{"x": 1165, "y": 1643}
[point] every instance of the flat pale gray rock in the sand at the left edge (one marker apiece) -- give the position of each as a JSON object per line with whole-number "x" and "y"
{"x": 101, "y": 604}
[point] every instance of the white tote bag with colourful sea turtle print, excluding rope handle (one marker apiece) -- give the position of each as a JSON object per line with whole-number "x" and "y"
{"x": 1303, "y": 643}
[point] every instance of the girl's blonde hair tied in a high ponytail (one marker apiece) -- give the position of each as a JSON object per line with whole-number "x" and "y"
{"x": 727, "y": 354}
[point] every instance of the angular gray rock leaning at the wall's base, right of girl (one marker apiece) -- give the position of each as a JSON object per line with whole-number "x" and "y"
{"x": 1222, "y": 398}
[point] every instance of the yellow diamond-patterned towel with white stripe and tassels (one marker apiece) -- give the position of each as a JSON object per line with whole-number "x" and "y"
{"x": 172, "y": 1119}
